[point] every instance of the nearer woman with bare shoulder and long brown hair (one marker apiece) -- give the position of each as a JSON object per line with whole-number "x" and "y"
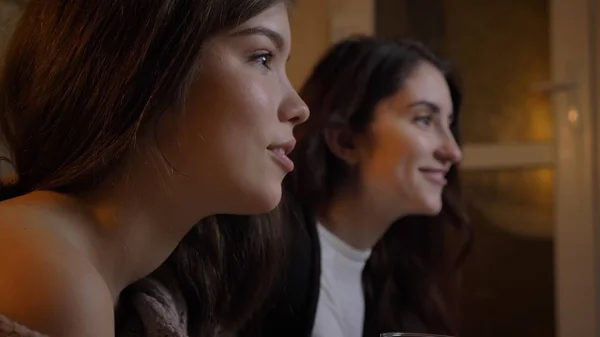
{"x": 128, "y": 122}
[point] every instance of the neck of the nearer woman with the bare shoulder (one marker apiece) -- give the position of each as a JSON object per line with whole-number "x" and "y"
{"x": 137, "y": 226}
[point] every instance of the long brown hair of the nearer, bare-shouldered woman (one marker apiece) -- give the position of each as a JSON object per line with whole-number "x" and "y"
{"x": 81, "y": 78}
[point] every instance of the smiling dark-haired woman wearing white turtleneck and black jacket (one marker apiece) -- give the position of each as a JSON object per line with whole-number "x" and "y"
{"x": 373, "y": 198}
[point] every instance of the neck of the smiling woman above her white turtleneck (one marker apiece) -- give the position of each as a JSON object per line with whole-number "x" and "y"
{"x": 358, "y": 219}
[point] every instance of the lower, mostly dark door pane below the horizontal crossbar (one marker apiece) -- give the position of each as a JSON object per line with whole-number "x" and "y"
{"x": 508, "y": 287}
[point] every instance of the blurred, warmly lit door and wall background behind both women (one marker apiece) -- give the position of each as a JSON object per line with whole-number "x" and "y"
{"x": 530, "y": 72}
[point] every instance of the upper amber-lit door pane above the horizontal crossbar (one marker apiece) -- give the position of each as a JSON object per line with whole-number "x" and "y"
{"x": 501, "y": 49}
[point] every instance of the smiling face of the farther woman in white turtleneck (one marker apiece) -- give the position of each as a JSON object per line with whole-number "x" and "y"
{"x": 409, "y": 147}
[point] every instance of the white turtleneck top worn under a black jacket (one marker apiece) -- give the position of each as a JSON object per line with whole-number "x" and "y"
{"x": 341, "y": 306}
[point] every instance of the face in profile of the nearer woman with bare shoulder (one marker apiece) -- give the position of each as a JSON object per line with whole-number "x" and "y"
{"x": 238, "y": 119}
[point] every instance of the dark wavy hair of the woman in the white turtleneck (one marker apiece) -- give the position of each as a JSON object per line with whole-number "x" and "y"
{"x": 409, "y": 280}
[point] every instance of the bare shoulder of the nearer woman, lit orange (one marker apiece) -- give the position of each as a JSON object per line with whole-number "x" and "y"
{"x": 45, "y": 283}
